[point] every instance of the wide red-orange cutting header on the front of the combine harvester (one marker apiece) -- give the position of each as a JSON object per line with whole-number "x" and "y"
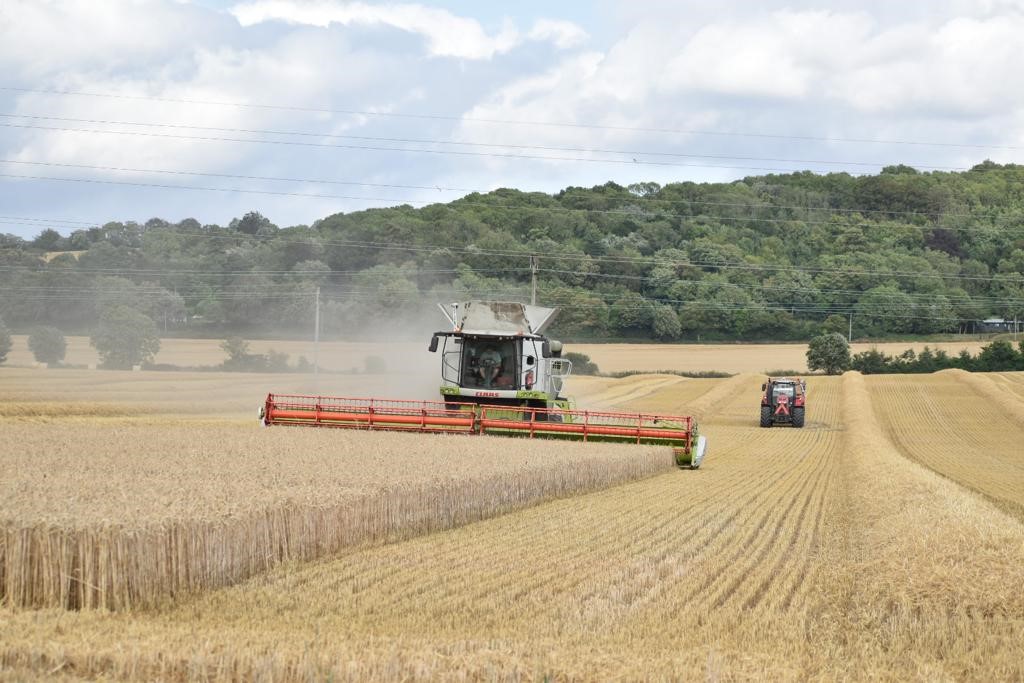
{"x": 438, "y": 417}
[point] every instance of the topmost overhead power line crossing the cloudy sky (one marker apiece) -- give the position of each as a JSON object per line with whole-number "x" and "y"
{"x": 503, "y": 122}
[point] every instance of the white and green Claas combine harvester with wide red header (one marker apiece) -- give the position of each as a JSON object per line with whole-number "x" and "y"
{"x": 501, "y": 377}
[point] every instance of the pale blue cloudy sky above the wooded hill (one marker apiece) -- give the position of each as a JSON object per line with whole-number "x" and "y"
{"x": 129, "y": 110}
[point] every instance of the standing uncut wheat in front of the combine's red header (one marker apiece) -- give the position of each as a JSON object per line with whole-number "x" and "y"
{"x": 129, "y": 516}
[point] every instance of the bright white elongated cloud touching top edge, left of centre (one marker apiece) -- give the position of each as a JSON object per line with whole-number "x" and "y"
{"x": 447, "y": 34}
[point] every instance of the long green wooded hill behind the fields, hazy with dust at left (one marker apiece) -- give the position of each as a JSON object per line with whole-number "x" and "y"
{"x": 779, "y": 258}
